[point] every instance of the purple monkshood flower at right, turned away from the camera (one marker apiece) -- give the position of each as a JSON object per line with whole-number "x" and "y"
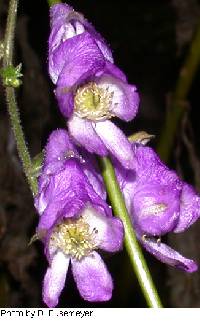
{"x": 159, "y": 203}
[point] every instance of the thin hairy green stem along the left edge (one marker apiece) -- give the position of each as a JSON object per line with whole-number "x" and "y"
{"x": 11, "y": 100}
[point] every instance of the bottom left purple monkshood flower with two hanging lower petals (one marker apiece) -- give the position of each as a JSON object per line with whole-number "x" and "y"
{"x": 75, "y": 222}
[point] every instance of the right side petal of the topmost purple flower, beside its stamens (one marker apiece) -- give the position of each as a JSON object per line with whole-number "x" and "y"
{"x": 125, "y": 100}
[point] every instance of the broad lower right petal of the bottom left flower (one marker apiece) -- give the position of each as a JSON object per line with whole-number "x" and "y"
{"x": 92, "y": 278}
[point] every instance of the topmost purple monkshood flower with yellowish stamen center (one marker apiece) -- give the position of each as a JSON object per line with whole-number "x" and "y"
{"x": 90, "y": 89}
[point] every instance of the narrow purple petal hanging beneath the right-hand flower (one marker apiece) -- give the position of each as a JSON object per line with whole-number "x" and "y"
{"x": 169, "y": 256}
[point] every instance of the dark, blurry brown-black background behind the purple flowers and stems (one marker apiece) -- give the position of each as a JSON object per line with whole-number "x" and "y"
{"x": 150, "y": 40}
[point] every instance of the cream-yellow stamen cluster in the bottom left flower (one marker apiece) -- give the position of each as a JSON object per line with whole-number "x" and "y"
{"x": 74, "y": 238}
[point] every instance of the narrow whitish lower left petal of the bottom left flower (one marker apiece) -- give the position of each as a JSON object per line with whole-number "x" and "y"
{"x": 54, "y": 279}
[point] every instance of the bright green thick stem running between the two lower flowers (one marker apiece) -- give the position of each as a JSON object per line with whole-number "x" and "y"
{"x": 134, "y": 251}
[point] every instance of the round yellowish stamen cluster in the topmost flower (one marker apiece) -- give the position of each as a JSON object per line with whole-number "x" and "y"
{"x": 93, "y": 102}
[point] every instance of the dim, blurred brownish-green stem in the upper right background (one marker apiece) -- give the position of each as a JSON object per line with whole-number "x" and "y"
{"x": 178, "y": 101}
